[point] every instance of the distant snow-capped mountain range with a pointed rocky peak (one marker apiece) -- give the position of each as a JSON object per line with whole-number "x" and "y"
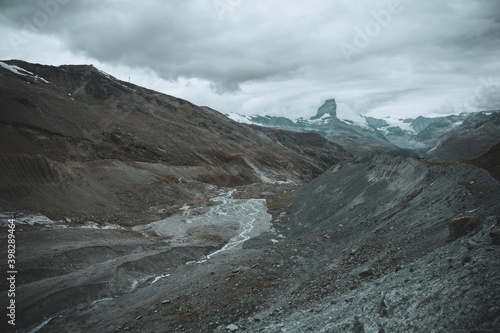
{"x": 362, "y": 135}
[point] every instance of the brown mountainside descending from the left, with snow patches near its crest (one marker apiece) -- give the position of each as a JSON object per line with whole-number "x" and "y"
{"x": 77, "y": 142}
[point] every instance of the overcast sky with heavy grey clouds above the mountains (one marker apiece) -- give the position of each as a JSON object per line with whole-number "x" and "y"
{"x": 380, "y": 58}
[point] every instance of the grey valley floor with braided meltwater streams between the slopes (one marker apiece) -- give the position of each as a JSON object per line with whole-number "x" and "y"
{"x": 71, "y": 271}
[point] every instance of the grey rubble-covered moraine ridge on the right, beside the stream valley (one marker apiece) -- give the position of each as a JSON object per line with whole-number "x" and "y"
{"x": 379, "y": 255}
